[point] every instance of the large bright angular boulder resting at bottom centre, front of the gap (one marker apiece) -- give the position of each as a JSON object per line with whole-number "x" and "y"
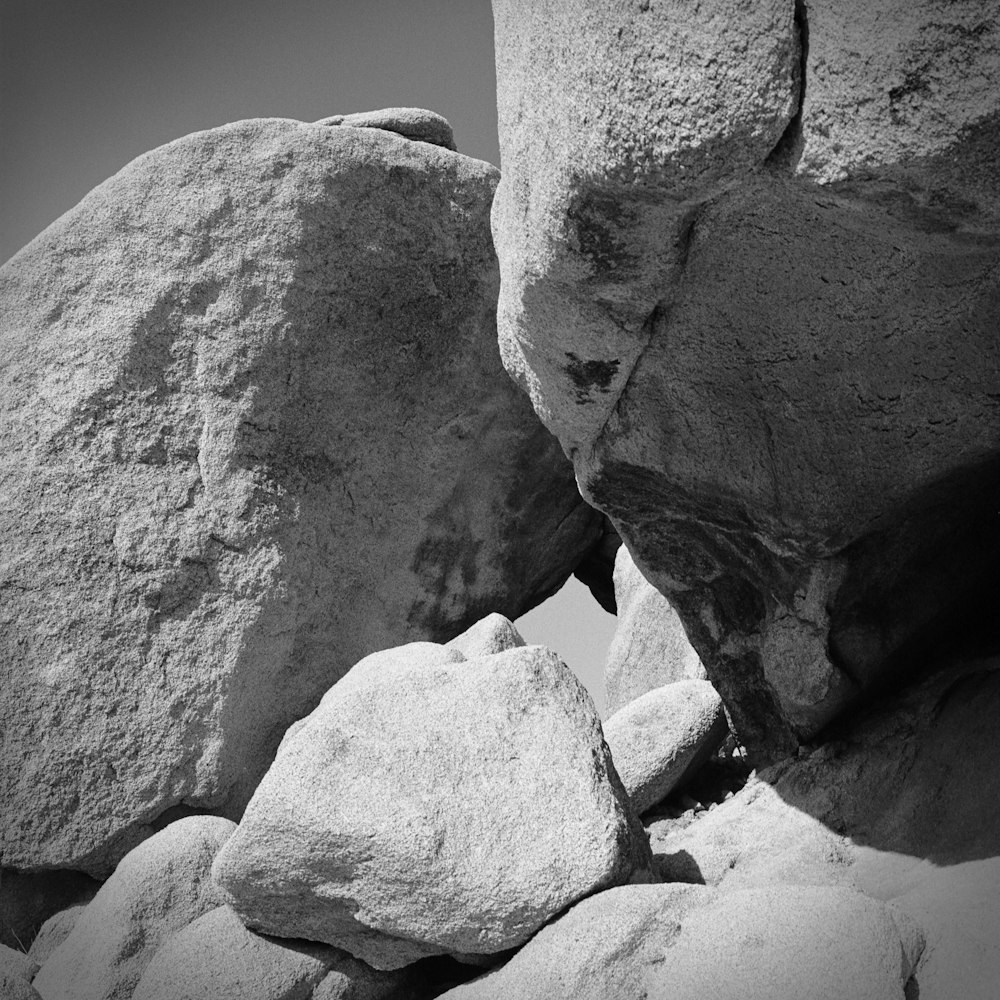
{"x": 435, "y": 808}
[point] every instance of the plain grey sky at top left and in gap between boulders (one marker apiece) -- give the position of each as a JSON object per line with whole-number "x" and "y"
{"x": 88, "y": 85}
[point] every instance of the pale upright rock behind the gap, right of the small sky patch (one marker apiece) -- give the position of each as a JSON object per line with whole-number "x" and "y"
{"x": 650, "y": 647}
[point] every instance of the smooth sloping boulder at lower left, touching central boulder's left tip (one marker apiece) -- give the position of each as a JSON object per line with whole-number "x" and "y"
{"x": 158, "y": 888}
